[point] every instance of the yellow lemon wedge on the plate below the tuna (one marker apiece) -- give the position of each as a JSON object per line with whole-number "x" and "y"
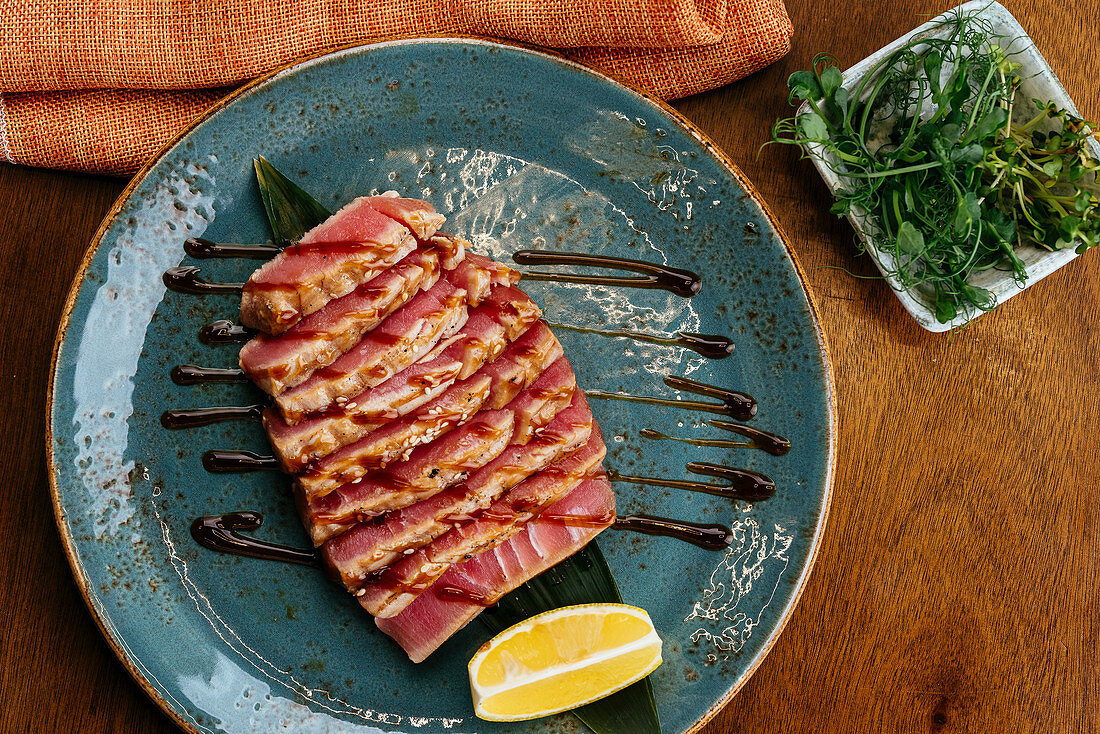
{"x": 563, "y": 660}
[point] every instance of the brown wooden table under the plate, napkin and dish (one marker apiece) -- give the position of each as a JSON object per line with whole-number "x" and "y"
{"x": 958, "y": 586}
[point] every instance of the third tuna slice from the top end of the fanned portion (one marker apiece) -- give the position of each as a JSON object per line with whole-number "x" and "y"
{"x": 400, "y": 342}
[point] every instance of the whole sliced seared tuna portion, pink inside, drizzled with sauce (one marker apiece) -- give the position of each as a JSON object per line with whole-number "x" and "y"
{"x": 442, "y": 451}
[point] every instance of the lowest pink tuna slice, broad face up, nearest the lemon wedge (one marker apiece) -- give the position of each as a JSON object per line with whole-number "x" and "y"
{"x": 470, "y": 587}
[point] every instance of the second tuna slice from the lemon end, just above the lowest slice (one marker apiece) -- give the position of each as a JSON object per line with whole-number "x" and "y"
{"x": 389, "y": 593}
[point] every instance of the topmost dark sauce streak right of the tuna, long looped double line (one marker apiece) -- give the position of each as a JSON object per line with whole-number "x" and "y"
{"x": 654, "y": 277}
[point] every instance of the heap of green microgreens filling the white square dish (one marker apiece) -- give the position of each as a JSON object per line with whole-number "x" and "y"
{"x": 932, "y": 146}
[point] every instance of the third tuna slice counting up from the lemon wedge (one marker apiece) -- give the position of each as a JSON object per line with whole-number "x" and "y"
{"x": 370, "y": 547}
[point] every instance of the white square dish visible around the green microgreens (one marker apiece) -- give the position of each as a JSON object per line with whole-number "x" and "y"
{"x": 1039, "y": 82}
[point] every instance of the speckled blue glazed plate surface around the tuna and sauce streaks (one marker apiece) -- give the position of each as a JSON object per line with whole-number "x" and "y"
{"x": 520, "y": 149}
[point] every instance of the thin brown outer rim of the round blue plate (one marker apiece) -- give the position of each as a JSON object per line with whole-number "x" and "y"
{"x": 97, "y": 240}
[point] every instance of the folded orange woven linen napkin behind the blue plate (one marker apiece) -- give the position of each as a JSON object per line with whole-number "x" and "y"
{"x": 101, "y": 85}
